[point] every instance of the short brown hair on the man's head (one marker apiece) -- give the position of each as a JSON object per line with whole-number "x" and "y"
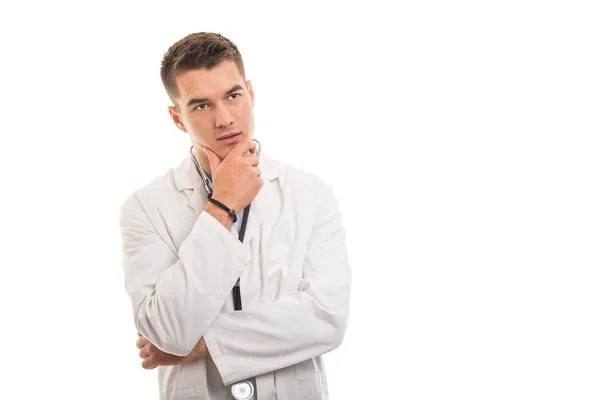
{"x": 197, "y": 51}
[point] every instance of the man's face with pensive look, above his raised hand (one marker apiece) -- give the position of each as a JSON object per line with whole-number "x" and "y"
{"x": 212, "y": 104}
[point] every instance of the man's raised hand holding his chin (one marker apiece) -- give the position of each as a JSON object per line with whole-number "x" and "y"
{"x": 236, "y": 179}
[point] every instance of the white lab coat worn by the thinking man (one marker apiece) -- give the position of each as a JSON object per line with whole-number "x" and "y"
{"x": 180, "y": 265}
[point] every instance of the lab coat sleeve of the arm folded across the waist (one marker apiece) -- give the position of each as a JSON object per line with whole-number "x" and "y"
{"x": 297, "y": 326}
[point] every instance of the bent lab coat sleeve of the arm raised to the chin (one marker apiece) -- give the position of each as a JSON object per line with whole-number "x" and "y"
{"x": 167, "y": 286}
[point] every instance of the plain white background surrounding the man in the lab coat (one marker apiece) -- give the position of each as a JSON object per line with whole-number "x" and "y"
{"x": 461, "y": 139}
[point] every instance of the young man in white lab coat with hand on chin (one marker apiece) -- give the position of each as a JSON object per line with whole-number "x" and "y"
{"x": 182, "y": 255}
